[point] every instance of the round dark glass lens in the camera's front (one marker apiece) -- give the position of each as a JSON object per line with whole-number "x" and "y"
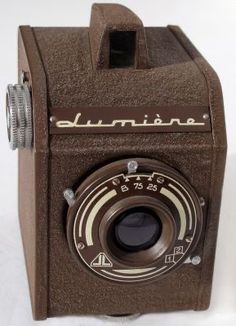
{"x": 137, "y": 229}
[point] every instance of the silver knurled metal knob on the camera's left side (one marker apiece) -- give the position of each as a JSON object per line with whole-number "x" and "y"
{"x": 19, "y": 116}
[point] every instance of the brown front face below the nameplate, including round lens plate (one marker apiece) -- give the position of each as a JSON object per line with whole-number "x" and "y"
{"x": 86, "y": 171}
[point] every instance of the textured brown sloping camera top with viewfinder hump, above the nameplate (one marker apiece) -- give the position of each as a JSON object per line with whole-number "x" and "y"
{"x": 119, "y": 63}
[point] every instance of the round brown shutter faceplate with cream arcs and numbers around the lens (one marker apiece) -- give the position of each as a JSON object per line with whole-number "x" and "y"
{"x": 97, "y": 206}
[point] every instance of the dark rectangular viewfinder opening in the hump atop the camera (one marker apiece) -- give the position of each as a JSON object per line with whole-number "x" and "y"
{"x": 122, "y": 49}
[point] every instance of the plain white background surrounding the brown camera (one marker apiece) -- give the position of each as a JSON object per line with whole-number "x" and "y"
{"x": 211, "y": 25}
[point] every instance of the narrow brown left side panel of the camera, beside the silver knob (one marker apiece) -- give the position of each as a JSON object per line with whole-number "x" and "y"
{"x": 33, "y": 177}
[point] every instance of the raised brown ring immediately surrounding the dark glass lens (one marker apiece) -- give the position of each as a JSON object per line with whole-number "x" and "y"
{"x": 144, "y": 254}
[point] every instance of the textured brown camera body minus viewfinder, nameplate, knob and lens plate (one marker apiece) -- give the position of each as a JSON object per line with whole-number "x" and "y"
{"x": 62, "y": 75}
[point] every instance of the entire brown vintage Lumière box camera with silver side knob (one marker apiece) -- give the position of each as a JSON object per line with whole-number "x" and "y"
{"x": 122, "y": 151}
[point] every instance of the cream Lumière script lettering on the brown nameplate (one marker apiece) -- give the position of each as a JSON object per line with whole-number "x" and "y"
{"x": 157, "y": 122}
